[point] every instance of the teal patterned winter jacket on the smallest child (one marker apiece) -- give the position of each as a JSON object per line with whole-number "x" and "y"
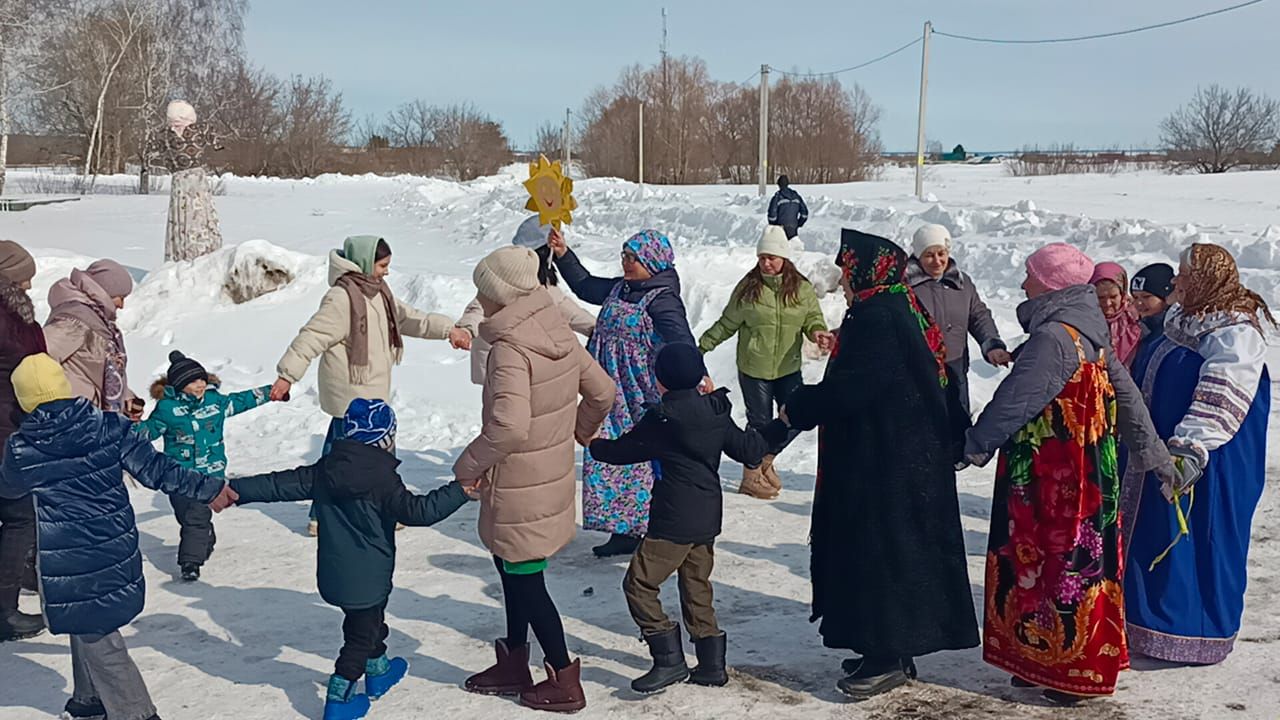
{"x": 193, "y": 430}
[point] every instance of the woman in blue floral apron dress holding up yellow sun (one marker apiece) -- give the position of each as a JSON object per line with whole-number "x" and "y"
{"x": 641, "y": 313}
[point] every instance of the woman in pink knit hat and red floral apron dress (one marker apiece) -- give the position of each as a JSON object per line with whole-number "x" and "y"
{"x": 1054, "y": 590}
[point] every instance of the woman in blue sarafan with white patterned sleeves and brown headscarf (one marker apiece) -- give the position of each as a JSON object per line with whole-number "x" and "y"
{"x": 1210, "y": 394}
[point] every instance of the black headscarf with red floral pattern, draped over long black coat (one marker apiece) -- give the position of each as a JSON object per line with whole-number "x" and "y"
{"x": 874, "y": 266}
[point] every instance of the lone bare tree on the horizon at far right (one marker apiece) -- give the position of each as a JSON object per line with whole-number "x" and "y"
{"x": 1220, "y": 129}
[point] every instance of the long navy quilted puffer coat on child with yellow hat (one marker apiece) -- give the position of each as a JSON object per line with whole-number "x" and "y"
{"x": 72, "y": 458}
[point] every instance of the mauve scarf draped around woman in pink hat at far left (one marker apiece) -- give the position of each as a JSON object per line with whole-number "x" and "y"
{"x": 84, "y": 300}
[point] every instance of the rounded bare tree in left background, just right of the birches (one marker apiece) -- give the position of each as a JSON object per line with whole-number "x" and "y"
{"x": 314, "y": 122}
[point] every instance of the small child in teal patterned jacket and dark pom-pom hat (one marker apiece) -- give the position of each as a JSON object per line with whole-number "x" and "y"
{"x": 190, "y": 416}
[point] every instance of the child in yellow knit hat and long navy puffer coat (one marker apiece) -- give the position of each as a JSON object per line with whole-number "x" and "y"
{"x": 71, "y": 457}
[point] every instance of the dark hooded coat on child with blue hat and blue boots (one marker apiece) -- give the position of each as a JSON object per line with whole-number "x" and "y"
{"x": 359, "y": 498}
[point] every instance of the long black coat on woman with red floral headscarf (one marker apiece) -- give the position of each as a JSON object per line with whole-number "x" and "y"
{"x": 890, "y": 576}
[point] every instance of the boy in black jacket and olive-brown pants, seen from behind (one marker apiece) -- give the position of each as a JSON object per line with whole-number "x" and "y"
{"x": 685, "y": 435}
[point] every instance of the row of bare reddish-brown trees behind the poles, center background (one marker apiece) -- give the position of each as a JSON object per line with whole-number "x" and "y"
{"x": 698, "y": 130}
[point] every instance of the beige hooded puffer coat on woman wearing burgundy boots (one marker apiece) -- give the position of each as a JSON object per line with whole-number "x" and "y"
{"x": 537, "y": 371}
